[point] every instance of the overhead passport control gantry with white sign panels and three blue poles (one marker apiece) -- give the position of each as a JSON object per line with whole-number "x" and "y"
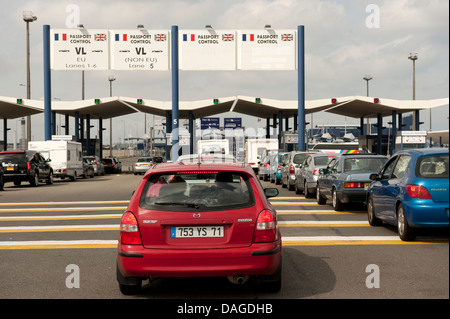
{"x": 141, "y": 49}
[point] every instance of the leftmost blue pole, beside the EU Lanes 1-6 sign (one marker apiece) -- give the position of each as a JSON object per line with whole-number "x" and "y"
{"x": 47, "y": 85}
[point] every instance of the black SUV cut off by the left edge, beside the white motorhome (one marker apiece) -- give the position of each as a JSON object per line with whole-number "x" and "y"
{"x": 28, "y": 166}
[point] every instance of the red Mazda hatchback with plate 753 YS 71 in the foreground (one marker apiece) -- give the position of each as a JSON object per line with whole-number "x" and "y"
{"x": 199, "y": 220}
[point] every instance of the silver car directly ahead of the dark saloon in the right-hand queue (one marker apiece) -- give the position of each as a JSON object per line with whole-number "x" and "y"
{"x": 307, "y": 175}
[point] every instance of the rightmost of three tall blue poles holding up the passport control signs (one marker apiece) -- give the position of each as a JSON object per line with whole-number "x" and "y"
{"x": 301, "y": 87}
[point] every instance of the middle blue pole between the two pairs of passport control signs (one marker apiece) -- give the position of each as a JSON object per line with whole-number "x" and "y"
{"x": 175, "y": 97}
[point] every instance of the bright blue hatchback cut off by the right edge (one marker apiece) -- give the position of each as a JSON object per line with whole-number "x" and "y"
{"x": 411, "y": 191}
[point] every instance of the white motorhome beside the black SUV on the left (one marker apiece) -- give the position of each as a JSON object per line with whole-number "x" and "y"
{"x": 66, "y": 157}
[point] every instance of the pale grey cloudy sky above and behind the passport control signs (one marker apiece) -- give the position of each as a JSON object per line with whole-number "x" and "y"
{"x": 344, "y": 41}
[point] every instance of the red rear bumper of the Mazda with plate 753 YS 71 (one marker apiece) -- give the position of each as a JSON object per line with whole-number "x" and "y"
{"x": 258, "y": 259}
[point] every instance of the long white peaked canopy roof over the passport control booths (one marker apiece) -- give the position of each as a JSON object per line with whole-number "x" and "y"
{"x": 351, "y": 106}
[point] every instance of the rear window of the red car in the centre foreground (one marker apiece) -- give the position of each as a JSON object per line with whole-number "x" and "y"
{"x": 197, "y": 191}
